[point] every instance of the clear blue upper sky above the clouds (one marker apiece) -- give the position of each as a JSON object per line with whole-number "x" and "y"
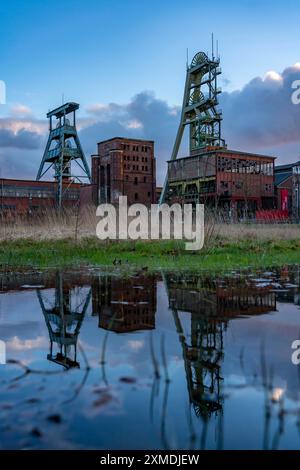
{"x": 107, "y": 51}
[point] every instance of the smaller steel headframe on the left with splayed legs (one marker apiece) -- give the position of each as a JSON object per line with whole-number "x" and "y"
{"x": 62, "y": 149}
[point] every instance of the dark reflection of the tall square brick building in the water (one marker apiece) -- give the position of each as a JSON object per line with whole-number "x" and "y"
{"x": 125, "y": 305}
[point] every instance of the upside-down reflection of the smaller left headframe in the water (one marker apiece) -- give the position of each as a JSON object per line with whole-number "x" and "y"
{"x": 63, "y": 318}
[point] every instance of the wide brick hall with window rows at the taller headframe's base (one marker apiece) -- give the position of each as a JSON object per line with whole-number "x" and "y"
{"x": 236, "y": 182}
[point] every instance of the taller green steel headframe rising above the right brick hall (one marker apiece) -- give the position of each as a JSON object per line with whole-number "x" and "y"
{"x": 199, "y": 108}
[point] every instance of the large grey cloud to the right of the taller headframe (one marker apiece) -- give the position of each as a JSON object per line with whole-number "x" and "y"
{"x": 262, "y": 114}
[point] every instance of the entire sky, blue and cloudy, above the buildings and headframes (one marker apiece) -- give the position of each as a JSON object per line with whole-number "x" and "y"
{"x": 124, "y": 62}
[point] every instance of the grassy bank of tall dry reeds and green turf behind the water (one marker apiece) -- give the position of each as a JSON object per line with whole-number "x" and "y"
{"x": 69, "y": 240}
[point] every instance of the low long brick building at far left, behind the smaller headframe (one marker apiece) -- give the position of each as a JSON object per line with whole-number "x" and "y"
{"x": 22, "y": 198}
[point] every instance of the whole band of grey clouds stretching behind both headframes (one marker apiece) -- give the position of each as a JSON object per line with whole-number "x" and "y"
{"x": 258, "y": 118}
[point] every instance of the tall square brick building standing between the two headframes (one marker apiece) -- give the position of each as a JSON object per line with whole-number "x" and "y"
{"x": 124, "y": 167}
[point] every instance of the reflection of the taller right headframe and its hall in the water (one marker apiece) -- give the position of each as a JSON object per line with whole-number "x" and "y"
{"x": 211, "y": 304}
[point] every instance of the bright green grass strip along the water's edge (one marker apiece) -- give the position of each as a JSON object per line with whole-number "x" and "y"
{"x": 222, "y": 253}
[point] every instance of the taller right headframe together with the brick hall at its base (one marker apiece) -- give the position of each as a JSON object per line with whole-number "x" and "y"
{"x": 237, "y": 183}
